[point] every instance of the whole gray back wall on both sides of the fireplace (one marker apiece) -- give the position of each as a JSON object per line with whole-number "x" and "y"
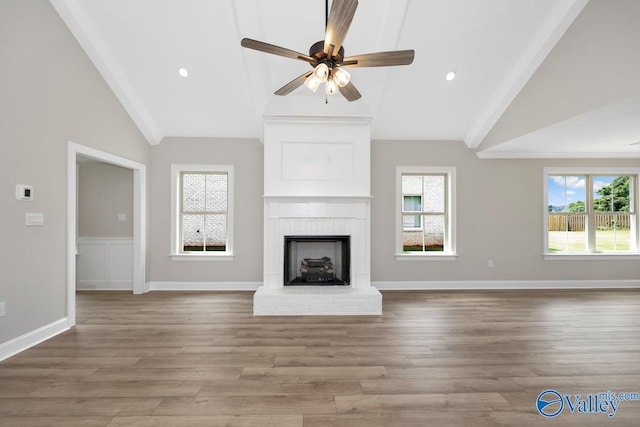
{"x": 499, "y": 215}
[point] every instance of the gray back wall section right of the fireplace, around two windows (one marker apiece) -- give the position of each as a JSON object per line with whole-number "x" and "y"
{"x": 499, "y": 217}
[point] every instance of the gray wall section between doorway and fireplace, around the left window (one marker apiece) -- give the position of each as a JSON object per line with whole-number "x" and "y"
{"x": 247, "y": 158}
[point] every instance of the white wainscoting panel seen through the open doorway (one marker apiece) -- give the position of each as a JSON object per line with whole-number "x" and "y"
{"x": 104, "y": 264}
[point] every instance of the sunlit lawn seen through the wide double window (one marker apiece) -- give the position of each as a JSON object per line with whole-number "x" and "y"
{"x": 574, "y": 241}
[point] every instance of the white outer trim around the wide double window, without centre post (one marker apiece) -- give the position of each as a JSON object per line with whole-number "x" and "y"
{"x": 545, "y": 214}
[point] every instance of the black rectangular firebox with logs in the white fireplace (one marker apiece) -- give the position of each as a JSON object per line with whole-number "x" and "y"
{"x": 316, "y": 260}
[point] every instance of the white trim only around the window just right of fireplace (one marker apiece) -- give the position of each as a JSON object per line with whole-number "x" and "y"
{"x": 449, "y": 253}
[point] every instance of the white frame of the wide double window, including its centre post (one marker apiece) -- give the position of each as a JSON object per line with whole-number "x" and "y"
{"x": 589, "y": 173}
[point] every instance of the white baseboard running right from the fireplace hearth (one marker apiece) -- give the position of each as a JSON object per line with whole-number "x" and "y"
{"x": 506, "y": 284}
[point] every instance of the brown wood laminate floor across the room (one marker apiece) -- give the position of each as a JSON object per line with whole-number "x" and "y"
{"x": 432, "y": 359}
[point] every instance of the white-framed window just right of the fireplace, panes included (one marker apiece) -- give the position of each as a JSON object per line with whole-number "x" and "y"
{"x": 425, "y": 212}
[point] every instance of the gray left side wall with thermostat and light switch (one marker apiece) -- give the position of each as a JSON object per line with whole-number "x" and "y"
{"x": 50, "y": 93}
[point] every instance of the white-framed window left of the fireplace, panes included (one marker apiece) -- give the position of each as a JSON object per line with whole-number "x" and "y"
{"x": 202, "y": 198}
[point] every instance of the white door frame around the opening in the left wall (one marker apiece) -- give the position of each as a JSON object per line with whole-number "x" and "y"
{"x": 139, "y": 218}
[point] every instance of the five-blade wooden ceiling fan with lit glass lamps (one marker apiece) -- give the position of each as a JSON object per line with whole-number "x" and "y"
{"x": 327, "y": 56}
